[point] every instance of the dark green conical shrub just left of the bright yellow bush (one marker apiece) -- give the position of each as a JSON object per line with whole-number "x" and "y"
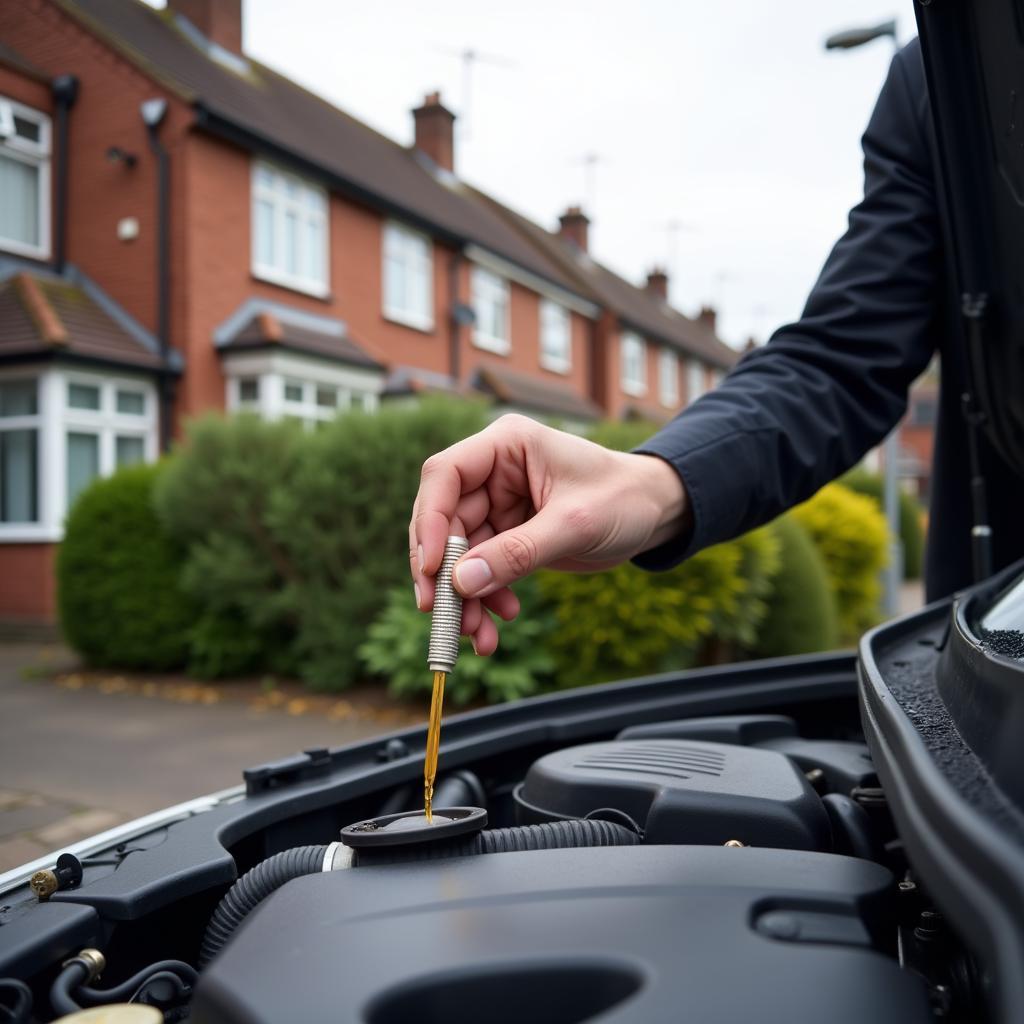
{"x": 801, "y": 616}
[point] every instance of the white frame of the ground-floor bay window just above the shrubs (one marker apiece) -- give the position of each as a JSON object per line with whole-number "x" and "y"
{"x": 275, "y": 370}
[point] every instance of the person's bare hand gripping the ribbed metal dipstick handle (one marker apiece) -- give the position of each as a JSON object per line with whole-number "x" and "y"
{"x": 529, "y": 497}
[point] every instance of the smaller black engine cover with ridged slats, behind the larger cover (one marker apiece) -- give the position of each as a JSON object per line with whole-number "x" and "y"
{"x": 681, "y": 792}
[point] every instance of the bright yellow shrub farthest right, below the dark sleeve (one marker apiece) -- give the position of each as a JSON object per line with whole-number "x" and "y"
{"x": 851, "y": 536}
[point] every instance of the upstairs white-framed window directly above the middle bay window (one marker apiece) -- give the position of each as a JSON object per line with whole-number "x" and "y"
{"x": 290, "y": 231}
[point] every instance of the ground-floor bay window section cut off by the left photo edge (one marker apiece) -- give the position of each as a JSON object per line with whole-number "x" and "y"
{"x": 20, "y": 423}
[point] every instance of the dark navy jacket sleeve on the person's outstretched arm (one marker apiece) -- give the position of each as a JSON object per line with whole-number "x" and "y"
{"x": 806, "y": 407}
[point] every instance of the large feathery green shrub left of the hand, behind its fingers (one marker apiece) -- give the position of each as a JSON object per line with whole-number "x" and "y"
{"x": 294, "y": 538}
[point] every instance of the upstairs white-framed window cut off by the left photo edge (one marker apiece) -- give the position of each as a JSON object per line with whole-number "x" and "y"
{"x": 25, "y": 181}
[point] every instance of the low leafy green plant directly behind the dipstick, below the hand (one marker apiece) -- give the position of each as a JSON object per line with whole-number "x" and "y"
{"x": 397, "y": 645}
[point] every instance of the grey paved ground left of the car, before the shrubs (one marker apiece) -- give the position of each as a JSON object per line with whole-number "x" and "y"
{"x": 79, "y": 756}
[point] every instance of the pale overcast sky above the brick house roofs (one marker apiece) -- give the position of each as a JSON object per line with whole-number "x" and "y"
{"x": 729, "y": 119}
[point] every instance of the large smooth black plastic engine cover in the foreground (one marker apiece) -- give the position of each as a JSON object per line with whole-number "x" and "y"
{"x": 631, "y": 935}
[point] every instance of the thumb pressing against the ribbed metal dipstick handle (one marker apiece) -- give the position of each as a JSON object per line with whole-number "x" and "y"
{"x": 516, "y": 553}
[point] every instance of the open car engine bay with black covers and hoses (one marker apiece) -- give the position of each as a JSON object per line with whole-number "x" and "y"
{"x": 711, "y": 845}
